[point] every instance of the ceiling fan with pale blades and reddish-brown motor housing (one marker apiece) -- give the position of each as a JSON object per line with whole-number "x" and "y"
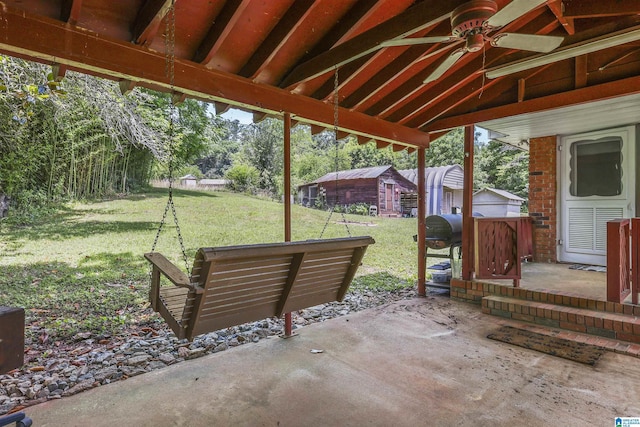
{"x": 473, "y": 21}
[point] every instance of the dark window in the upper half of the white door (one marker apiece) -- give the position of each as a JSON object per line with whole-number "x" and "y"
{"x": 596, "y": 167}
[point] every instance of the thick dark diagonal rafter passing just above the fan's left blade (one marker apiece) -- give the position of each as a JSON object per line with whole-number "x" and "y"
{"x": 414, "y": 19}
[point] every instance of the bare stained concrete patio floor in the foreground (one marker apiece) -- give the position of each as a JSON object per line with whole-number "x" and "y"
{"x": 419, "y": 362}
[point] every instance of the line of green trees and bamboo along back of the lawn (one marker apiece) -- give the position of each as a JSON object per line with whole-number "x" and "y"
{"x": 79, "y": 137}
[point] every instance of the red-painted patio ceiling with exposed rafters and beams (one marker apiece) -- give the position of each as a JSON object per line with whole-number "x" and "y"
{"x": 279, "y": 56}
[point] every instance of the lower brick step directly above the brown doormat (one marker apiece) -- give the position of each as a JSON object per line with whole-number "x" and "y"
{"x": 602, "y": 324}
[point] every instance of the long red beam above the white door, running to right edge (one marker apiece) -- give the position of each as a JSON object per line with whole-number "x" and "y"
{"x": 628, "y": 86}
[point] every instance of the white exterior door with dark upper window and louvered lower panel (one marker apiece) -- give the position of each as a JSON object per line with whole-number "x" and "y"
{"x": 597, "y": 185}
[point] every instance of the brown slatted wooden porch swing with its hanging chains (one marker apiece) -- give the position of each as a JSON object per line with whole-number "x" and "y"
{"x": 231, "y": 285}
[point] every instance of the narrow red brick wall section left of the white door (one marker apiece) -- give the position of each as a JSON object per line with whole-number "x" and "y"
{"x": 542, "y": 197}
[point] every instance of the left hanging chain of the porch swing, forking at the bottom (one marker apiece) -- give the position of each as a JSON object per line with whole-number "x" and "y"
{"x": 169, "y": 45}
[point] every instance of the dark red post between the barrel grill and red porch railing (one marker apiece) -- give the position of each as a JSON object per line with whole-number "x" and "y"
{"x": 467, "y": 205}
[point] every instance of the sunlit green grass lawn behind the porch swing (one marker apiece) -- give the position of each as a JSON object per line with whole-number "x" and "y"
{"x": 82, "y": 270}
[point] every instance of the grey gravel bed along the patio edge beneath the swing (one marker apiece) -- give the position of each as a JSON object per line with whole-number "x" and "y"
{"x": 56, "y": 370}
